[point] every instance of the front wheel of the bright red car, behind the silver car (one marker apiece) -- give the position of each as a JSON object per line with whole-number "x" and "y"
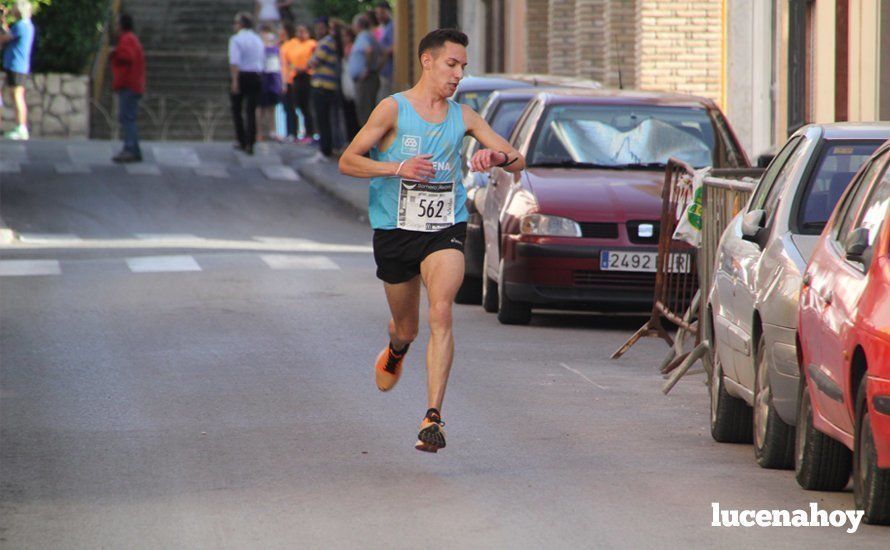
{"x": 820, "y": 462}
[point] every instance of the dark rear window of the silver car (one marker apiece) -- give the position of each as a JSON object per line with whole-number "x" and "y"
{"x": 834, "y": 169}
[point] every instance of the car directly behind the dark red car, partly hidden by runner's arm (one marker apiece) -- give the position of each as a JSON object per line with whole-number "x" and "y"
{"x": 501, "y": 111}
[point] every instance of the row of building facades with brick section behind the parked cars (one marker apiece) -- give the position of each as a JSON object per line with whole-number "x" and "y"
{"x": 771, "y": 65}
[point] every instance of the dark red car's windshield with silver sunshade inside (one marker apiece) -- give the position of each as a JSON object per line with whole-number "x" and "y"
{"x": 623, "y": 136}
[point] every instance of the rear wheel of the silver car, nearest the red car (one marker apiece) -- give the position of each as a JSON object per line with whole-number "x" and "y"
{"x": 773, "y": 439}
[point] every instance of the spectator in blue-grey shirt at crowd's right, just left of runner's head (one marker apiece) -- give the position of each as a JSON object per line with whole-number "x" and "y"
{"x": 363, "y": 64}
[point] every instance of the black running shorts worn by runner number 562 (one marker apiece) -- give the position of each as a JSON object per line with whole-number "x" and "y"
{"x": 399, "y": 252}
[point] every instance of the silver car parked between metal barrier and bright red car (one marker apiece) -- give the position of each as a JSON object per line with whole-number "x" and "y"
{"x": 754, "y": 297}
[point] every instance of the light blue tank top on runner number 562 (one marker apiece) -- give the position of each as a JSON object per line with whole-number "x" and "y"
{"x": 415, "y": 136}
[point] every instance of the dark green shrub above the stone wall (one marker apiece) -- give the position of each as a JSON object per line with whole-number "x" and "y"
{"x": 68, "y": 33}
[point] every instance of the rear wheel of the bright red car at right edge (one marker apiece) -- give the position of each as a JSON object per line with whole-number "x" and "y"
{"x": 871, "y": 485}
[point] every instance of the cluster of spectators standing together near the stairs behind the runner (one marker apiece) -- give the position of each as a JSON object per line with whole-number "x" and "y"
{"x": 333, "y": 80}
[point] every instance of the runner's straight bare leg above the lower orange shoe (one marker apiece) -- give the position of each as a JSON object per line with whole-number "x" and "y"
{"x": 443, "y": 273}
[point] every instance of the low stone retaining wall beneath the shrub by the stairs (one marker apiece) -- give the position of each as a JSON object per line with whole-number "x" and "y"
{"x": 58, "y": 106}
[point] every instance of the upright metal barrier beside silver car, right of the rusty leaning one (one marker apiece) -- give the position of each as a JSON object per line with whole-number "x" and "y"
{"x": 724, "y": 195}
